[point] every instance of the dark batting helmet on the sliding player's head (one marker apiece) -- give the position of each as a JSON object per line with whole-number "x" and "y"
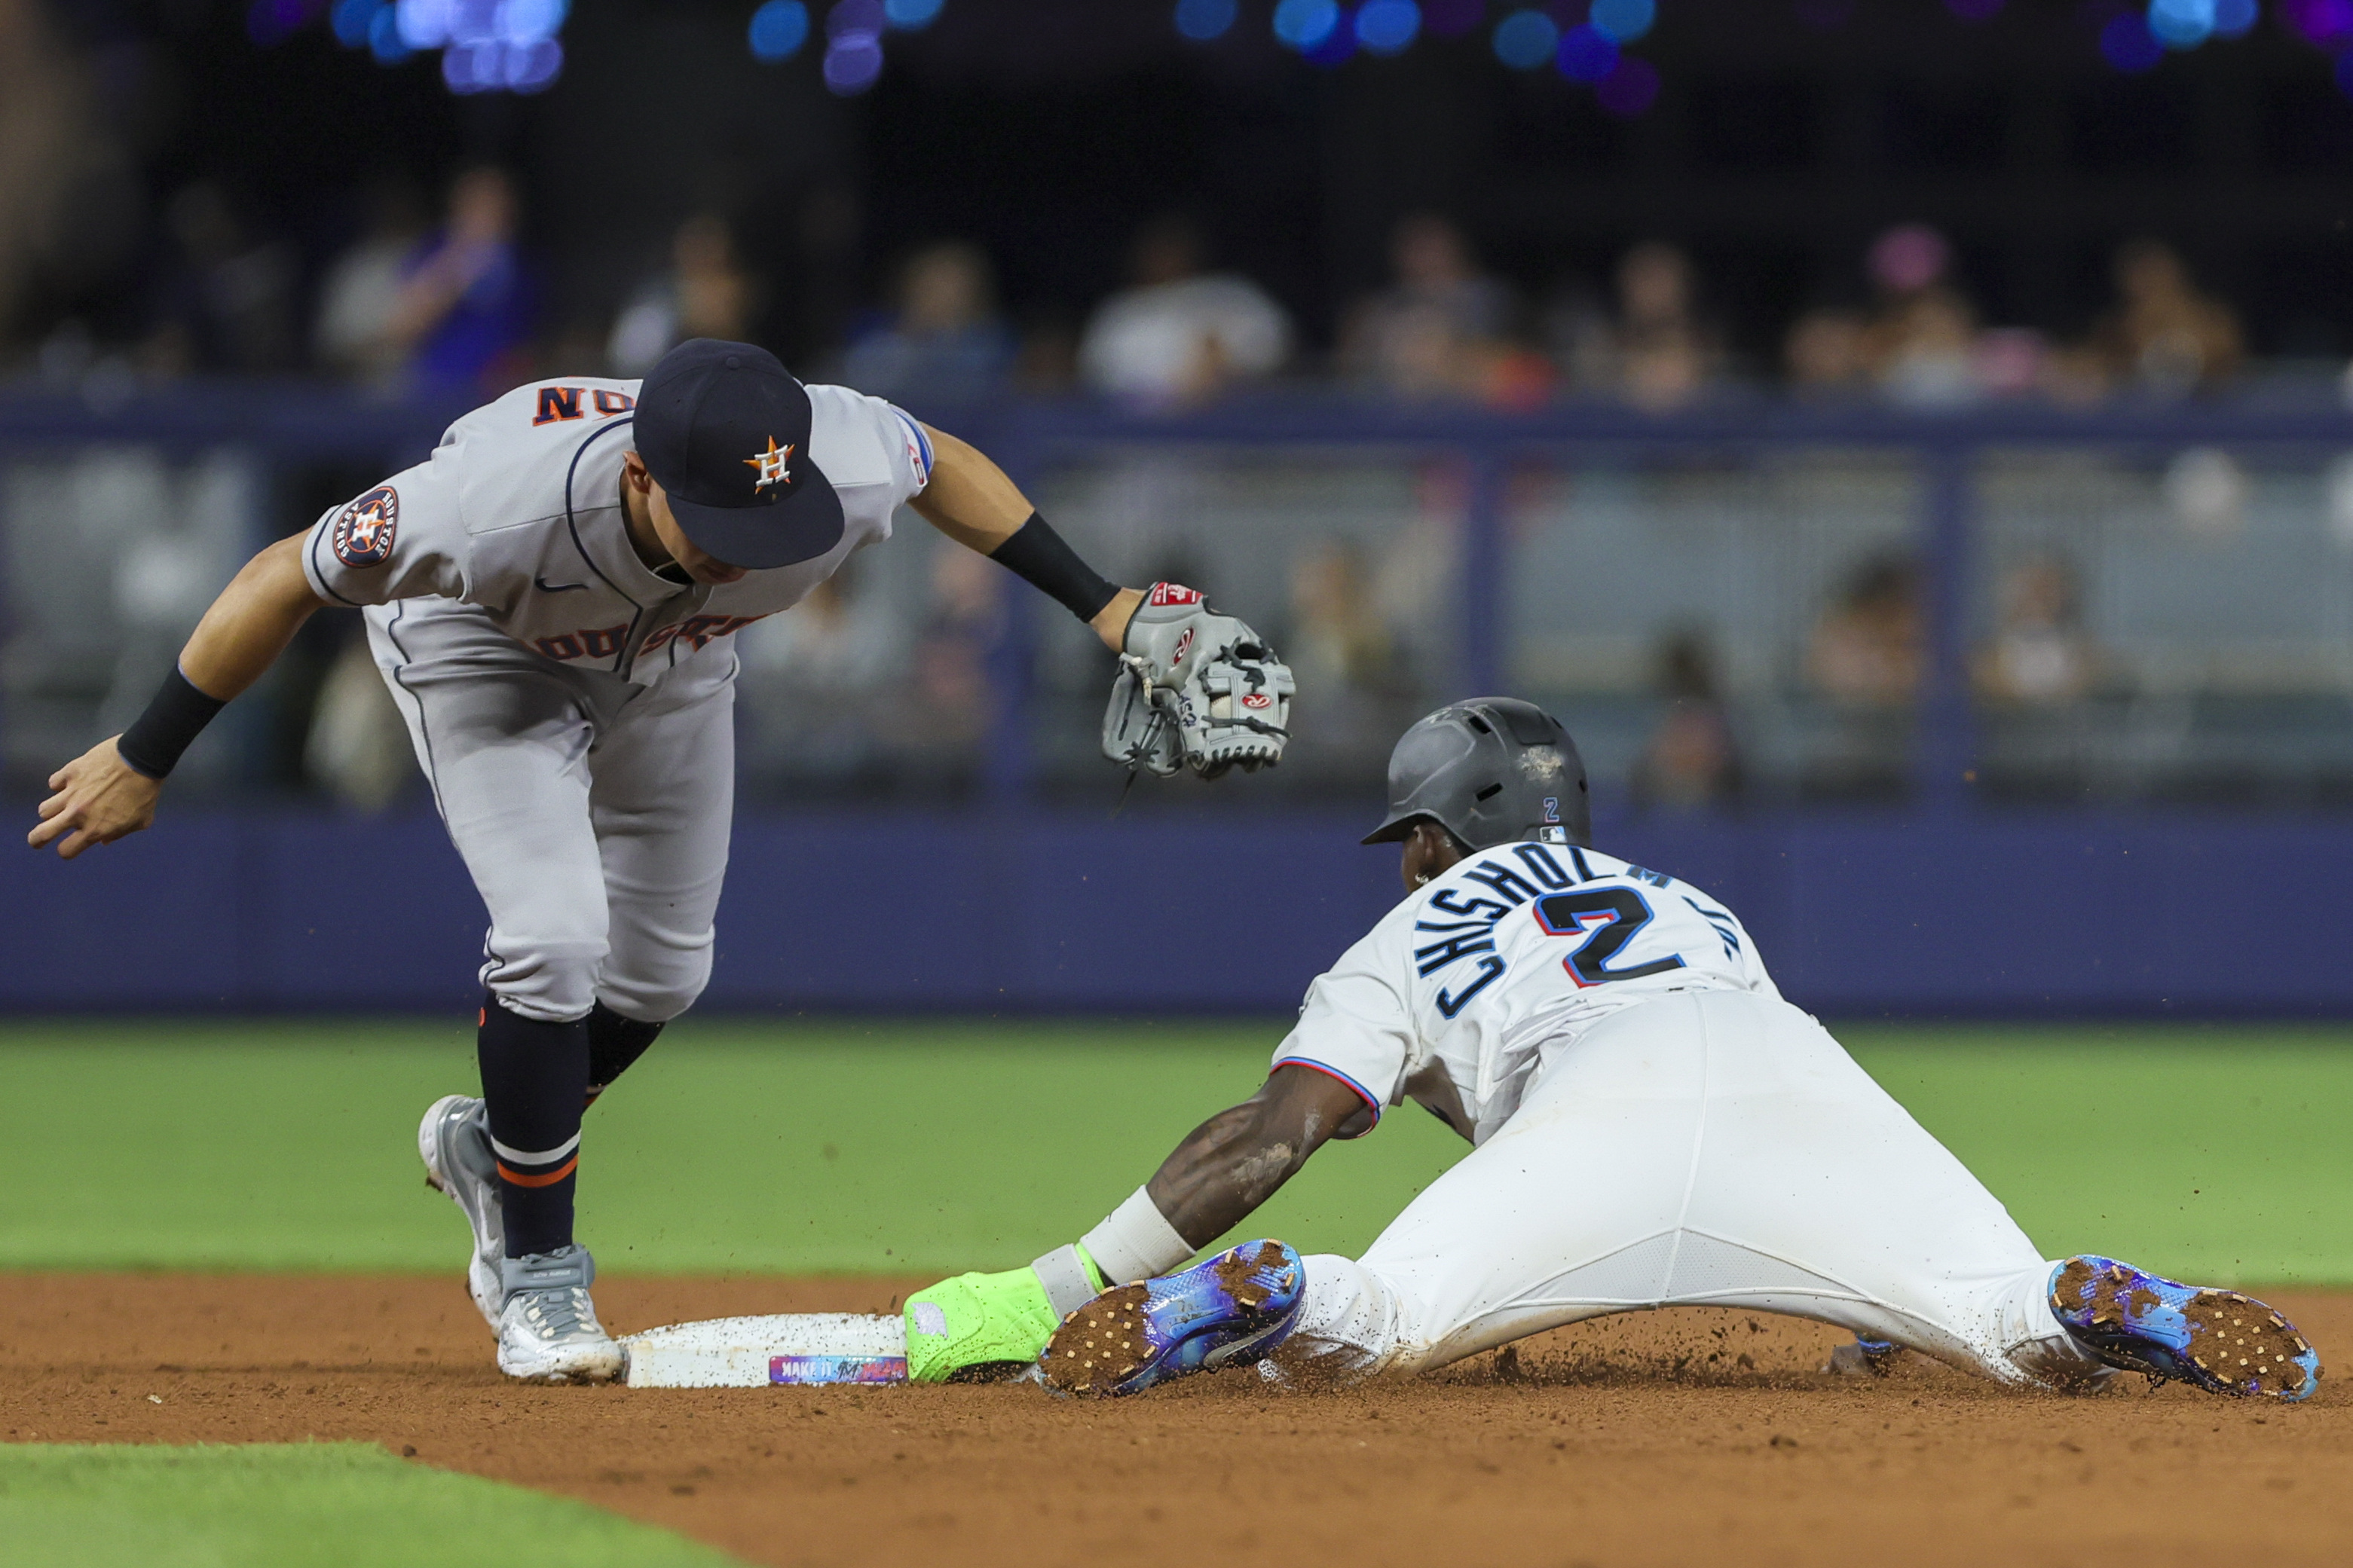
{"x": 1491, "y": 770}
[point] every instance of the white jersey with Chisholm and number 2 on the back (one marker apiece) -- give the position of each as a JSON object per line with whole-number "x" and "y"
{"x": 1491, "y": 970}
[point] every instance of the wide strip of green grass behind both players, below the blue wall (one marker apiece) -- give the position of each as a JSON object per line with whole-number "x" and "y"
{"x": 931, "y": 1148}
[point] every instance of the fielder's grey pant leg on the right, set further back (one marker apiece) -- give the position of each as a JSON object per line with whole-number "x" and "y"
{"x": 662, "y": 805}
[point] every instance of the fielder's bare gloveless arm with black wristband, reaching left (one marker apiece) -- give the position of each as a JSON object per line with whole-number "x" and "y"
{"x": 109, "y": 791}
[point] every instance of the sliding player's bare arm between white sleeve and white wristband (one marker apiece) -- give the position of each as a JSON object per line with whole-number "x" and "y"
{"x": 1239, "y": 1158}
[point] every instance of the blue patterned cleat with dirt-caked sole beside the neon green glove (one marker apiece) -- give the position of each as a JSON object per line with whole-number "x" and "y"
{"x": 1222, "y": 1313}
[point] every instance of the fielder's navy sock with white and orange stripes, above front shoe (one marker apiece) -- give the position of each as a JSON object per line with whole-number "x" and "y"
{"x": 535, "y": 1078}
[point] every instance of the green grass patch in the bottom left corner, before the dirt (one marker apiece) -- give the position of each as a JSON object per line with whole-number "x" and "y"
{"x": 298, "y": 1506}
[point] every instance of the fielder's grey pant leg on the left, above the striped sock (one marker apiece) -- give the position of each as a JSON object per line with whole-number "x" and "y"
{"x": 505, "y": 742}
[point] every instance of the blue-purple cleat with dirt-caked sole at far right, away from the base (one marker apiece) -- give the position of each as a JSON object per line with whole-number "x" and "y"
{"x": 2222, "y": 1341}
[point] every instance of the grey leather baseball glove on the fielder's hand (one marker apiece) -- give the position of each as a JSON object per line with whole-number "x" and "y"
{"x": 1197, "y": 692}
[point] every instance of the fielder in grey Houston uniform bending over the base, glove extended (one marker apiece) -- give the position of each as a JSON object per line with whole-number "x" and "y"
{"x": 552, "y": 598}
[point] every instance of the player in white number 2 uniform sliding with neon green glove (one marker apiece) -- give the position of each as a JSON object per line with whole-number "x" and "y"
{"x": 1653, "y": 1127}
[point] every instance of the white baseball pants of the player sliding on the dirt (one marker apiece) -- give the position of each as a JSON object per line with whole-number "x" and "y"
{"x": 1700, "y": 1151}
